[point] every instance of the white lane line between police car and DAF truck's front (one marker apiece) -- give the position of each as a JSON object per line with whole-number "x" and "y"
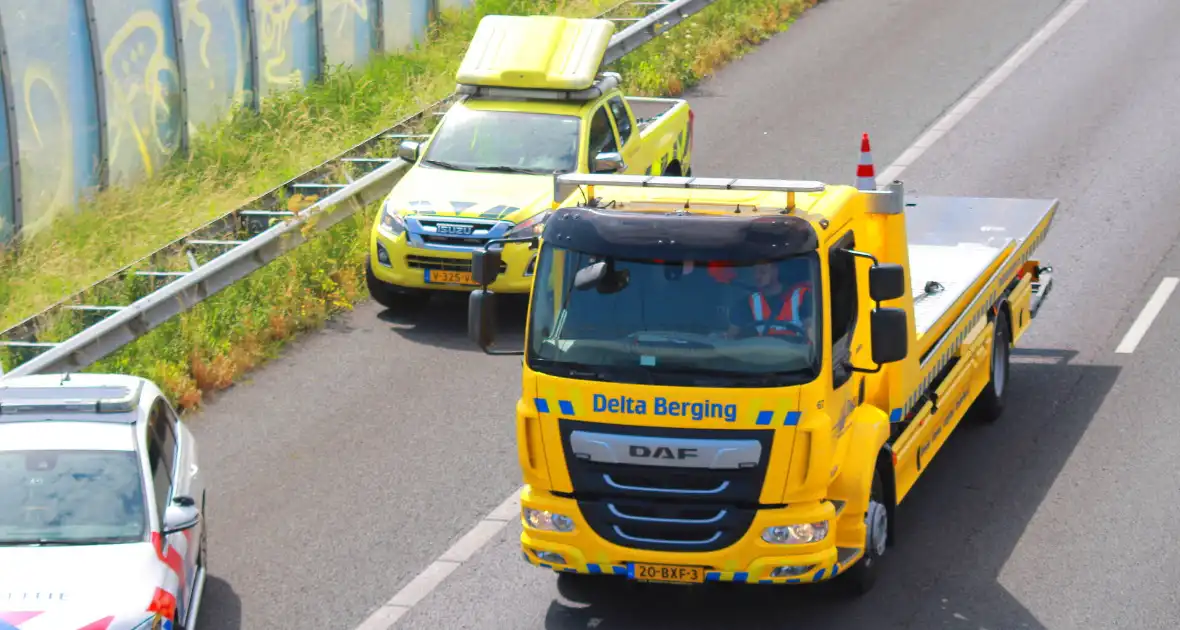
{"x": 422, "y": 586}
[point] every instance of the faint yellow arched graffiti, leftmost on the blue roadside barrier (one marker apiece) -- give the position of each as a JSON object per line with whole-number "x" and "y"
{"x": 40, "y": 75}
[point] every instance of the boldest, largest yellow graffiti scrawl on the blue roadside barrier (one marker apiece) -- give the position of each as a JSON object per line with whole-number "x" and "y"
{"x": 148, "y": 91}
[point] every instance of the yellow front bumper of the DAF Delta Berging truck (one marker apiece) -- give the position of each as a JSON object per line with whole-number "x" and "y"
{"x": 751, "y": 560}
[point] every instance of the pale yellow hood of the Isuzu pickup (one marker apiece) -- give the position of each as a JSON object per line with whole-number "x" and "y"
{"x": 427, "y": 192}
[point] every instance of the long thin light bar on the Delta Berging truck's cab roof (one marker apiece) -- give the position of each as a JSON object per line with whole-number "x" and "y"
{"x": 565, "y": 186}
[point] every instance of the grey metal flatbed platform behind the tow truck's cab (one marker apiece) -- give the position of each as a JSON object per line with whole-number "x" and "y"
{"x": 958, "y": 244}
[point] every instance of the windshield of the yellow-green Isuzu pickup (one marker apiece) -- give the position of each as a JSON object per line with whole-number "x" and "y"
{"x": 506, "y": 142}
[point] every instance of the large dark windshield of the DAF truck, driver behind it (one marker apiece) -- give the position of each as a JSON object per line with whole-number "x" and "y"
{"x": 689, "y": 324}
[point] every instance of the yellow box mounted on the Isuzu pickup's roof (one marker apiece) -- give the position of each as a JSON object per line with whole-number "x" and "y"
{"x": 536, "y": 52}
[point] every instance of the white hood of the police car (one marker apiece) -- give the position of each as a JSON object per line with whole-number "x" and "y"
{"x": 91, "y": 588}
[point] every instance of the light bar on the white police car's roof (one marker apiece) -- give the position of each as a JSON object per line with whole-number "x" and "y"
{"x": 84, "y": 399}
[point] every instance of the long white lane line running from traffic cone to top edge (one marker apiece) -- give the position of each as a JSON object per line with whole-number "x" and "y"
{"x": 961, "y": 109}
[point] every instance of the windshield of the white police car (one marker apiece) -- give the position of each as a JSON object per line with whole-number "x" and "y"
{"x": 71, "y": 497}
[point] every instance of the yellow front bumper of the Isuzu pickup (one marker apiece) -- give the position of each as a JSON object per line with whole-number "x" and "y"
{"x": 398, "y": 262}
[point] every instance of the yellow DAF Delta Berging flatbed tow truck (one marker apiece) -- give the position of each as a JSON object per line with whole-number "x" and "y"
{"x": 740, "y": 380}
